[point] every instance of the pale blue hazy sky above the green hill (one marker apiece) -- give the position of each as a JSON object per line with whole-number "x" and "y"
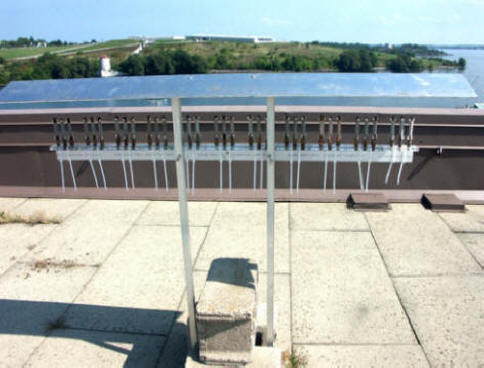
{"x": 395, "y": 21}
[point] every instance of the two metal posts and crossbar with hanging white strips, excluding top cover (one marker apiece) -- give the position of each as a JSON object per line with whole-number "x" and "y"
{"x": 182, "y": 154}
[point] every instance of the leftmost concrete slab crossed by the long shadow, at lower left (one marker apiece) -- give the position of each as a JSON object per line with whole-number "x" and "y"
{"x": 31, "y": 300}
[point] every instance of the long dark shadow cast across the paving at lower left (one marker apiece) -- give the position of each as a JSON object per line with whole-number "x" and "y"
{"x": 52, "y": 319}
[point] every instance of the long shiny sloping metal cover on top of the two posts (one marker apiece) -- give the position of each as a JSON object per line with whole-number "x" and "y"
{"x": 240, "y": 85}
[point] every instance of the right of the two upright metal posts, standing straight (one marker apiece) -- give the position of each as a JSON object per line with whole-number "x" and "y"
{"x": 270, "y": 131}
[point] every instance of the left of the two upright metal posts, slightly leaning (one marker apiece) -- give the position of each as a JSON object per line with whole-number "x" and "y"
{"x": 182, "y": 201}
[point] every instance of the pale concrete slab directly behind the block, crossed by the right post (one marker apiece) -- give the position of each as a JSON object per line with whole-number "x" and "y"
{"x": 239, "y": 230}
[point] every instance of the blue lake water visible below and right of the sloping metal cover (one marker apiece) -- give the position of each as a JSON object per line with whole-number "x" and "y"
{"x": 474, "y": 73}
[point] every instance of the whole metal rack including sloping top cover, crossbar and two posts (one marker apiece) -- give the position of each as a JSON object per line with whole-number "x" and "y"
{"x": 267, "y": 86}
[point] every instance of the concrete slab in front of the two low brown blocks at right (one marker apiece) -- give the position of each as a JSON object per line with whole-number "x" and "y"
{"x": 415, "y": 241}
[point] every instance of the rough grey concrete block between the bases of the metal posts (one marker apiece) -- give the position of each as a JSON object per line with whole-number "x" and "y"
{"x": 226, "y": 312}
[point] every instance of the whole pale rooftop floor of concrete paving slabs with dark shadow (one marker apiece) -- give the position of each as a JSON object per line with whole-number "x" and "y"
{"x": 105, "y": 287}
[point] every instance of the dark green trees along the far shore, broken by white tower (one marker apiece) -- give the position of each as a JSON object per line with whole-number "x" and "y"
{"x": 179, "y": 61}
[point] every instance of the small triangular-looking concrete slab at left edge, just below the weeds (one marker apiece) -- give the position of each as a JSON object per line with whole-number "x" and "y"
{"x": 18, "y": 239}
